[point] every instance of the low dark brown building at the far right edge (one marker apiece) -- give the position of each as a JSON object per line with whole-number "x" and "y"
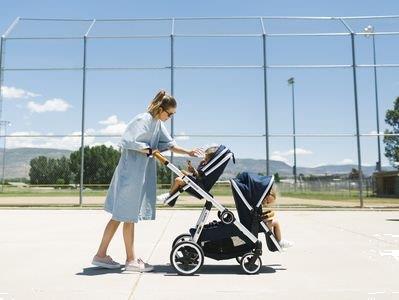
{"x": 386, "y": 183}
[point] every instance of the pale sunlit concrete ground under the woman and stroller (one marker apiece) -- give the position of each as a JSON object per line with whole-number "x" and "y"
{"x": 46, "y": 254}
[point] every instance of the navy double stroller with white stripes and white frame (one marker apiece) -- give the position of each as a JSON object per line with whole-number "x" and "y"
{"x": 228, "y": 237}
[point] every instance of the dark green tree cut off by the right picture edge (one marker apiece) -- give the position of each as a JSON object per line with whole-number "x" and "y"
{"x": 392, "y": 142}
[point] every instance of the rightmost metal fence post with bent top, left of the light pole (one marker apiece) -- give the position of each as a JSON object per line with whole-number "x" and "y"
{"x": 359, "y": 156}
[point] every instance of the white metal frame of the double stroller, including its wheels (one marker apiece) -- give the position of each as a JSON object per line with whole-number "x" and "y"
{"x": 250, "y": 262}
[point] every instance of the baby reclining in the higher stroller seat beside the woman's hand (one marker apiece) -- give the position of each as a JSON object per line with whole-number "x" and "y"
{"x": 191, "y": 171}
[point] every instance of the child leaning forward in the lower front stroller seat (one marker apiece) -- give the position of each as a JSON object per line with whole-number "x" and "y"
{"x": 268, "y": 217}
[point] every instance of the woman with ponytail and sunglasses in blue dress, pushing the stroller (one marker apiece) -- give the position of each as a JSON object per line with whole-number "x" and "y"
{"x": 132, "y": 193}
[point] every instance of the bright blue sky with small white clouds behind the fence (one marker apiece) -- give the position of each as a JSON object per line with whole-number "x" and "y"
{"x": 210, "y": 101}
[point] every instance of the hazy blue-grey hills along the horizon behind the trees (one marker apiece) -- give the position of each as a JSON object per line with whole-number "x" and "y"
{"x": 17, "y": 164}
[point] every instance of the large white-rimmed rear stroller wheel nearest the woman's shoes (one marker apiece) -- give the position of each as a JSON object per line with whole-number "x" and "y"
{"x": 186, "y": 257}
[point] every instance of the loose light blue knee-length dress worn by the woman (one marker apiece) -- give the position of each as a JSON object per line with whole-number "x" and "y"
{"x": 132, "y": 193}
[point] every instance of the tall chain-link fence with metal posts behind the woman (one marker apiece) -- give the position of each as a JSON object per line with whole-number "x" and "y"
{"x": 40, "y": 167}
